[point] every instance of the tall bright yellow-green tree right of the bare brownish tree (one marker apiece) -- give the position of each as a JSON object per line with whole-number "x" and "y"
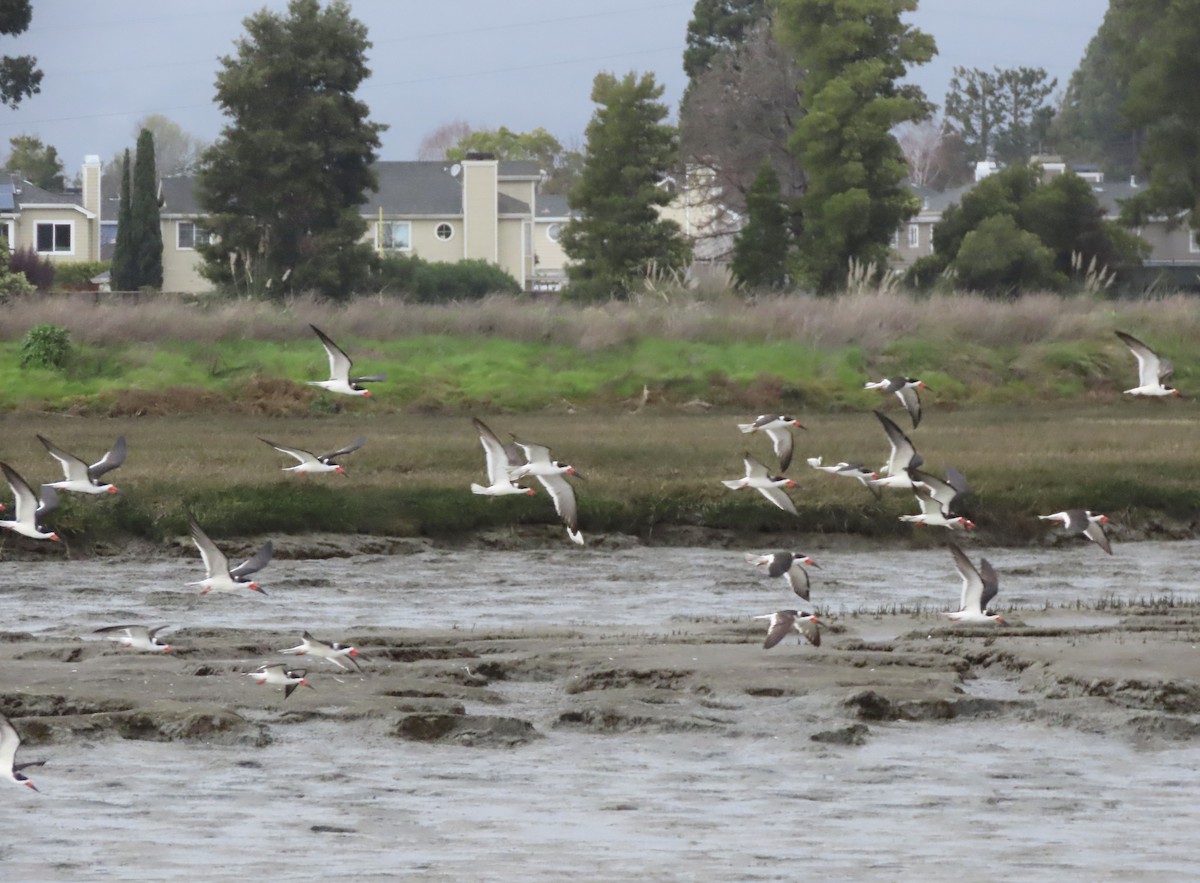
{"x": 855, "y": 53}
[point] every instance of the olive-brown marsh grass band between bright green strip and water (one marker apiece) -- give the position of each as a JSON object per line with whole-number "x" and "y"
{"x": 663, "y": 467}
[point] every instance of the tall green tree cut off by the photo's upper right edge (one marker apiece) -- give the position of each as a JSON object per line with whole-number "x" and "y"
{"x": 1159, "y": 46}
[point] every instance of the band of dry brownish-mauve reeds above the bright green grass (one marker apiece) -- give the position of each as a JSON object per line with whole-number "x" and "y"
{"x": 871, "y": 319}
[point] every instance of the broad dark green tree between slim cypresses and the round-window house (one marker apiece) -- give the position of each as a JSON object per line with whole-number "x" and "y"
{"x": 285, "y": 183}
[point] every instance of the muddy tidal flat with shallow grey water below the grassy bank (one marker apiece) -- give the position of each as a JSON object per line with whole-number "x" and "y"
{"x": 605, "y": 714}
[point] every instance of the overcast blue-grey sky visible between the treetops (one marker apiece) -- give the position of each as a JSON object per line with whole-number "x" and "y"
{"x": 523, "y": 65}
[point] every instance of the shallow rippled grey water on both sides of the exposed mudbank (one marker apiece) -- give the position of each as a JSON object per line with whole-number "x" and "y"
{"x": 968, "y": 801}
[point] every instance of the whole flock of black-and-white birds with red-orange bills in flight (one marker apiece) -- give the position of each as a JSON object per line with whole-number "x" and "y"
{"x": 941, "y": 504}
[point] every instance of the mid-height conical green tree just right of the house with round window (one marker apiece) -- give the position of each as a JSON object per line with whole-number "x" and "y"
{"x": 631, "y": 152}
